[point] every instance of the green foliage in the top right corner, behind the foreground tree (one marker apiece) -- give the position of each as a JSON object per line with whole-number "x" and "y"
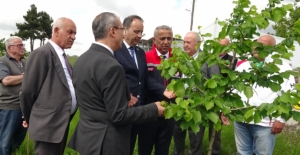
{"x": 284, "y": 27}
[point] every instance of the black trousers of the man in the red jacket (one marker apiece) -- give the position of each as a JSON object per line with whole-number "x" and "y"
{"x": 158, "y": 134}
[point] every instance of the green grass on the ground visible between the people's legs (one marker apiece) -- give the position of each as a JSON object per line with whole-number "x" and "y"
{"x": 287, "y": 143}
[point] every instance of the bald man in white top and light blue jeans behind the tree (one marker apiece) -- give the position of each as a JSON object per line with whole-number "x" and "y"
{"x": 259, "y": 138}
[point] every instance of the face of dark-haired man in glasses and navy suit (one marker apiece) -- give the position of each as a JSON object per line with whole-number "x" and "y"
{"x": 133, "y": 34}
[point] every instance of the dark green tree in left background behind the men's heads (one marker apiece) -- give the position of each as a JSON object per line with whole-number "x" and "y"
{"x": 37, "y": 25}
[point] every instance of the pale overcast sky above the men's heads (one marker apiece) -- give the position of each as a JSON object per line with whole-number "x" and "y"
{"x": 154, "y": 12}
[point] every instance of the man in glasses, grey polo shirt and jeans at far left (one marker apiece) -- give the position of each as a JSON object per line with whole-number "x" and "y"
{"x": 12, "y": 133}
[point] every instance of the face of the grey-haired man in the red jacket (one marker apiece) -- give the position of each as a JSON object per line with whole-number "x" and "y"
{"x": 163, "y": 40}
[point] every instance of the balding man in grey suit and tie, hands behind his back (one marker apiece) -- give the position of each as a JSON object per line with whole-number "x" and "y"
{"x": 48, "y": 98}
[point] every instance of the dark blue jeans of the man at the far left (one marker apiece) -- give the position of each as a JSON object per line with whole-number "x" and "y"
{"x": 12, "y": 133}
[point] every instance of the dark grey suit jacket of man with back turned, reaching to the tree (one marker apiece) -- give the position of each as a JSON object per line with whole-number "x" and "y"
{"x": 102, "y": 95}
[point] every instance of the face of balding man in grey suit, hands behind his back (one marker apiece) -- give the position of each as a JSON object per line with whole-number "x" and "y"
{"x": 66, "y": 34}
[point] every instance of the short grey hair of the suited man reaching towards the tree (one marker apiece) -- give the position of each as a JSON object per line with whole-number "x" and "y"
{"x": 102, "y": 23}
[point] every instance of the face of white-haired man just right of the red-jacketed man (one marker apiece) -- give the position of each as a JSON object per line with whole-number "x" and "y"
{"x": 189, "y": 44}
